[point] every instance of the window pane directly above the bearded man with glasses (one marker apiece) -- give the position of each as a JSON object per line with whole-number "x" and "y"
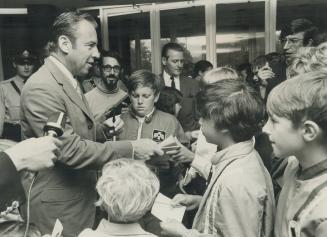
{"x": 130, "y": 36}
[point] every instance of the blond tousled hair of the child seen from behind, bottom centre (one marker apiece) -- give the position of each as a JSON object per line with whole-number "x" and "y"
{"x": 127, "y": 190}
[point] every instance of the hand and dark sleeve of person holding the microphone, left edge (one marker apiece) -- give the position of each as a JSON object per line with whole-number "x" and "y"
{"x": 33, "y": 154}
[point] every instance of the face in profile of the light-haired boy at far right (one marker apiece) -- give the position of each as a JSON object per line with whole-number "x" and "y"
{"x": 285, "y": 139}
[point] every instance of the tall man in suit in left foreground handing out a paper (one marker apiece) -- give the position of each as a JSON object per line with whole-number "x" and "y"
{"x": 67, "y": 191}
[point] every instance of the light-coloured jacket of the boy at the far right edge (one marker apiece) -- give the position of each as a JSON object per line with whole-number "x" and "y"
{"x": 298, "y": 193}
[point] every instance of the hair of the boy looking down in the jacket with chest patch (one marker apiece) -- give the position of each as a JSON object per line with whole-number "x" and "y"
{"x": 144, "y": 78}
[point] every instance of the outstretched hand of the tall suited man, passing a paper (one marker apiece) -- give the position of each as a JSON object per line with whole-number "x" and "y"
{"x": 145, "y": 148}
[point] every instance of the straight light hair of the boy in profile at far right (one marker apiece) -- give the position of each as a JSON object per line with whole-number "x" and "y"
{"x": 300, "y": 98}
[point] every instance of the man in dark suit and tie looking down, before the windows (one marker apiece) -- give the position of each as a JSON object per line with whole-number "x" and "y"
{"x": 173, "y": 62}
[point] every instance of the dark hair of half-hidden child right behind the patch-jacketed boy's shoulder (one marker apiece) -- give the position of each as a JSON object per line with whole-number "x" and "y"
{"x": 168, "y": 98}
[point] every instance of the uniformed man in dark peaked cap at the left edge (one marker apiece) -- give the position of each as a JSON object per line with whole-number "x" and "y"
{"x": 24, "y": 63}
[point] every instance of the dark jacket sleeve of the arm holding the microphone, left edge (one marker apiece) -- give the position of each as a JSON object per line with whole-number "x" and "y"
{"x": 11, "y": 188}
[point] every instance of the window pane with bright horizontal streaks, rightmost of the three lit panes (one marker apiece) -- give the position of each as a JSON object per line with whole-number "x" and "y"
{"x": 240, "y": 32}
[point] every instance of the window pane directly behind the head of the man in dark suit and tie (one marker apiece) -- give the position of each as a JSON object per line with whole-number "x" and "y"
{"x": 179, "y": 26}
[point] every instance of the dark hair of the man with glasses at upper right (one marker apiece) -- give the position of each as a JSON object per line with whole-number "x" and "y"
{"x": 301, "y": 25}
